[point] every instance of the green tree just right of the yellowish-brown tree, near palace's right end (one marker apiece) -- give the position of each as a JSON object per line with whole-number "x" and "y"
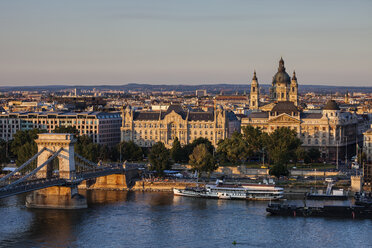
{"x": 234, "y": 149}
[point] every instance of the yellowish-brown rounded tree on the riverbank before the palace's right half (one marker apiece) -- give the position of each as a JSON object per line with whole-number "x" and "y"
{"x": 202, "y": 160}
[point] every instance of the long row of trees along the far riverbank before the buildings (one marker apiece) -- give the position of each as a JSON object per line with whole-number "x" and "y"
{"x": 278, "y": 148}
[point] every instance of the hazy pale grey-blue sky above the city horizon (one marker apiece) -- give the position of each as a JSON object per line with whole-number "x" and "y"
{"x": 184, "y": 42}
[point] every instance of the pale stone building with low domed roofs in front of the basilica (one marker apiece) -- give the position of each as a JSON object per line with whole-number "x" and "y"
{"x": 330, "y": 130}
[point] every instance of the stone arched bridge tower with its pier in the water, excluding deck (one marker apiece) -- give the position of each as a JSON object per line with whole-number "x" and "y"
{"x": 60, "y": 146}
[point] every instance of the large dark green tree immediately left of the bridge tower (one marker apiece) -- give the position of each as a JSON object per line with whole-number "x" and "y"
{"x": 23, "y": 145}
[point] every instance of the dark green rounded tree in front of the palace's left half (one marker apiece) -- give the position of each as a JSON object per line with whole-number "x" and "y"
{"x": 159, "y": 158}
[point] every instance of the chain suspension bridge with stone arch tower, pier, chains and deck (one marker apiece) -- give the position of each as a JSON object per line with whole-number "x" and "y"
{"x": 72, "y": 170}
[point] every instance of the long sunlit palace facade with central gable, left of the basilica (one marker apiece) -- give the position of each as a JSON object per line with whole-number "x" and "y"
{"x": 148, "y": 127}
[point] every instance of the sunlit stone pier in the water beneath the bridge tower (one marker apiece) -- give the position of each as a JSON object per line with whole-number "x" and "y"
{"x": 57, "y": 197}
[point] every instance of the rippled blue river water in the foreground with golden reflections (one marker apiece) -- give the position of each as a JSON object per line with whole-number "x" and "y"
{"x": 136, "y": 219}
